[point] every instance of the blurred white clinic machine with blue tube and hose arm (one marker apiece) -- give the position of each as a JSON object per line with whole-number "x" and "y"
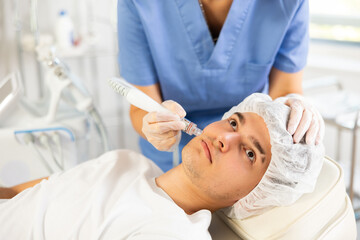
{"x": 39, "y": 143}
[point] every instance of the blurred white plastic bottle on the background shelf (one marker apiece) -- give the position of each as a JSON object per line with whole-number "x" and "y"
{"x": 64, "y": 31}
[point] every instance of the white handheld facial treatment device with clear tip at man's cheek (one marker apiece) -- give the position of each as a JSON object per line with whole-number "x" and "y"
{"x": 144, "y": 102}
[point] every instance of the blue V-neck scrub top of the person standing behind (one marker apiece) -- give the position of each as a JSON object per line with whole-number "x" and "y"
{"x": 168, "y": 42}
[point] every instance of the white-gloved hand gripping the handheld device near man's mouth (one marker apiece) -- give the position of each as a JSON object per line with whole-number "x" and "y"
{"x": 163, "y": 130}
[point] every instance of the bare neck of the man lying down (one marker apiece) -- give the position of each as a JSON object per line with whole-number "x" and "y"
{"x": 183, "y": 192}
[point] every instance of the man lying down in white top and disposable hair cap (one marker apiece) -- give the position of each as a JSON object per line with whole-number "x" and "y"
{"x": 243, "y": 165}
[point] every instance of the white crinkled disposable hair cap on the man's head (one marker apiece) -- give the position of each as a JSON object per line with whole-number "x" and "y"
{"x": 293, "y": 168}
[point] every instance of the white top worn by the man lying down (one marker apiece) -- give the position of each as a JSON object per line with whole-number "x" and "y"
{"x": 112, "y": 197}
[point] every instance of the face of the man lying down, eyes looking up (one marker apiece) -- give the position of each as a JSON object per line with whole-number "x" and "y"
{"x": 229, "y": 159}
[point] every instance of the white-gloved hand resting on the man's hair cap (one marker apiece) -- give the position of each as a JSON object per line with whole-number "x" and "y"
{"x": 304, "y": 119}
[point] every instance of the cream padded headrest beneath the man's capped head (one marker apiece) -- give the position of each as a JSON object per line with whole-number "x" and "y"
{"x": 326, "y": 213}
